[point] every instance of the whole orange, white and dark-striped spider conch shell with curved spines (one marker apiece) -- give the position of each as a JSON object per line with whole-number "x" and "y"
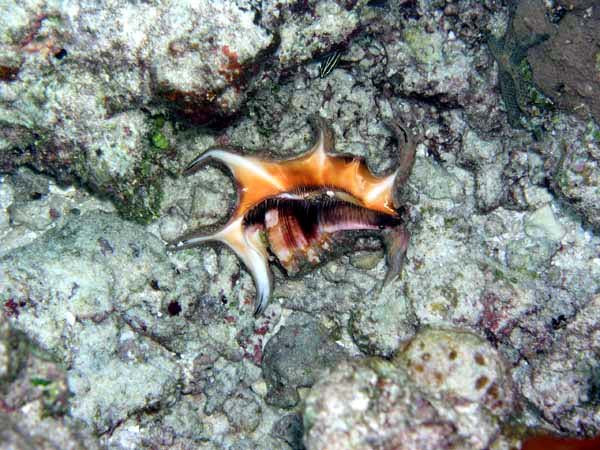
{"x": 298, "y": 208}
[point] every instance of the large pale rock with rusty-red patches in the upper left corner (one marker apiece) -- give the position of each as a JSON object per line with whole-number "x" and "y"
{"x": 81, "y": 76}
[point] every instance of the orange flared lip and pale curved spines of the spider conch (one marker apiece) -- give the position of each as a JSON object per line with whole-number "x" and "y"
{"x": 259, "y": 179}
